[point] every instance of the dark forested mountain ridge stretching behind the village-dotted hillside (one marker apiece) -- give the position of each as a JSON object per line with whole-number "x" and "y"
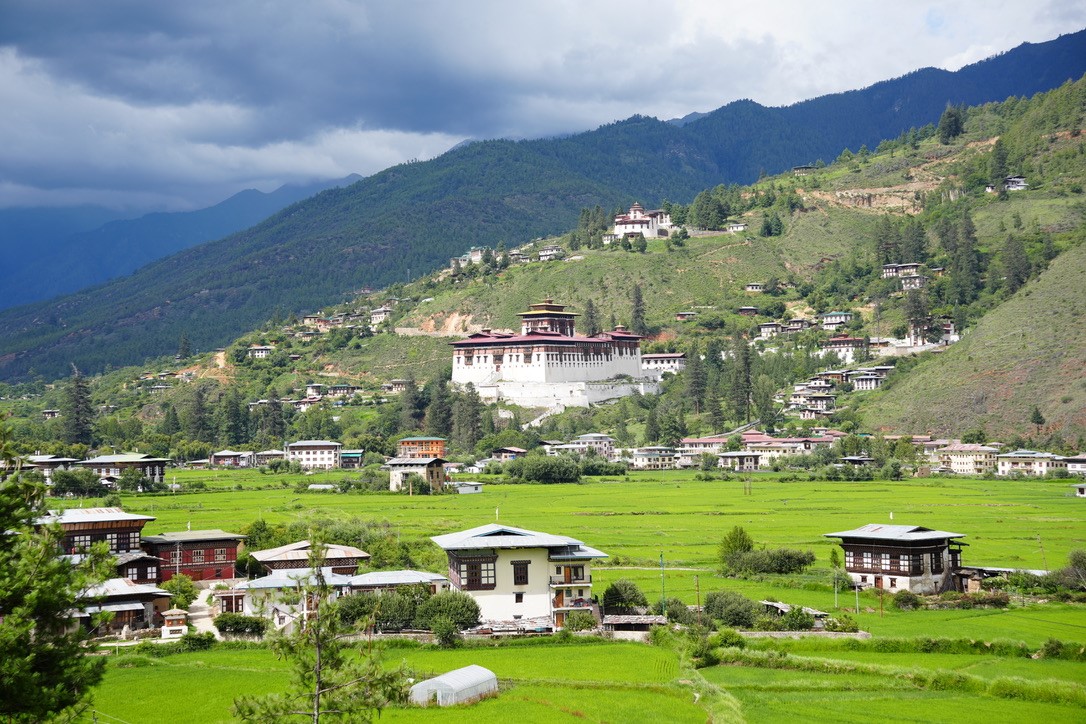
{"x": 411, "y": 219}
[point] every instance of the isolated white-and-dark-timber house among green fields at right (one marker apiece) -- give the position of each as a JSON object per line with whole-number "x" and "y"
{"x": 901, "y": 557}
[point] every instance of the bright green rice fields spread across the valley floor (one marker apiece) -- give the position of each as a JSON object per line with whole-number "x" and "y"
{"x": 1026, "y": 524}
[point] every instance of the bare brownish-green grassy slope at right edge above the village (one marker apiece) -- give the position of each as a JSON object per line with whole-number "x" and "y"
{"x": 1028, "y": 352}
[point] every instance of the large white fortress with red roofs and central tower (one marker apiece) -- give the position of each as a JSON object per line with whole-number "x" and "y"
{"x": 550, "y": 365}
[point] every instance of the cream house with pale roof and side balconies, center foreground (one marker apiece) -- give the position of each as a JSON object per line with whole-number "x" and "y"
{"x": 516, "y": 575}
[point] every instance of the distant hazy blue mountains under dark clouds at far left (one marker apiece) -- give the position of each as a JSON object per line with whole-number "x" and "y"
{"x": 50, "y": 252}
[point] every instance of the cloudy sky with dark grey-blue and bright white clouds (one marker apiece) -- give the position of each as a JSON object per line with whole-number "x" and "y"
{"x": 176, "y": 106}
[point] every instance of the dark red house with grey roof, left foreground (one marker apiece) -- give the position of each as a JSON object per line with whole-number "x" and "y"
{"x": 200, "y": 555}
